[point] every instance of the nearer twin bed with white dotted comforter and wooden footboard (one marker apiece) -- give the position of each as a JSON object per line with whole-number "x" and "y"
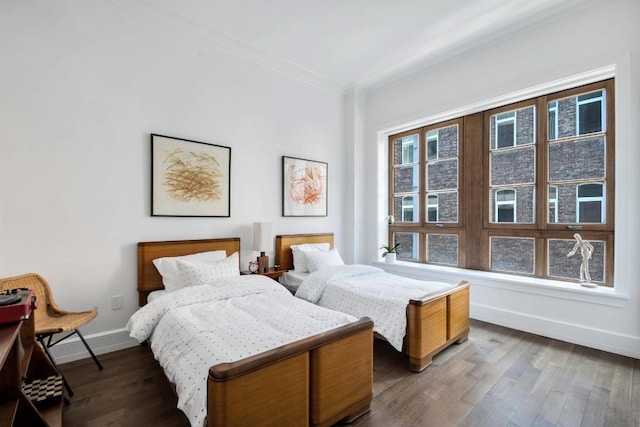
{"x": 296, "y": 364}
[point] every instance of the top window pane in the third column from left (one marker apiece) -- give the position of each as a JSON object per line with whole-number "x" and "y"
{"x": 513, "y": 128}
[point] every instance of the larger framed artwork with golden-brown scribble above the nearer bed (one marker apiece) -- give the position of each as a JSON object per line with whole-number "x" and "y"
{"x": 189, "y": 178}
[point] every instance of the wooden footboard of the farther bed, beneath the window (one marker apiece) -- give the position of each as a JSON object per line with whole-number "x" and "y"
{"x": 434, "y": 323}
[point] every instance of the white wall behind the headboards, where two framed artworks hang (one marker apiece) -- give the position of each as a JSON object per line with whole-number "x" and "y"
{"x": 83, "y": 84}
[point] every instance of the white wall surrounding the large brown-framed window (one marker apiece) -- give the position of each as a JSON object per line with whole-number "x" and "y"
{"x": 583, "y": 42}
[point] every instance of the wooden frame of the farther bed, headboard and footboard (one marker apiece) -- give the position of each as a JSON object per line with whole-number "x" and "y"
{"x": 433, "y": 323}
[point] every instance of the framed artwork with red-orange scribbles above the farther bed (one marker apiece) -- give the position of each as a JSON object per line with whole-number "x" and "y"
{"x": 304, "y": 187}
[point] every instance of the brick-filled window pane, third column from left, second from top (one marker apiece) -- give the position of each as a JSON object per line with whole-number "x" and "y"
{"x": 513, "y": 167}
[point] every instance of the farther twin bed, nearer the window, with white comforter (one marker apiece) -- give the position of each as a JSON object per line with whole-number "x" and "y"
{"x": 433, "y": 320}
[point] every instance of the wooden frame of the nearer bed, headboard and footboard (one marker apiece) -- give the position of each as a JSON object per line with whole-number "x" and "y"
{"x": 316, "y": 381}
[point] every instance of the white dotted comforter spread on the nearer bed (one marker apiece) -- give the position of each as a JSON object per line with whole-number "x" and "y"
{"x": 193, "y": 328}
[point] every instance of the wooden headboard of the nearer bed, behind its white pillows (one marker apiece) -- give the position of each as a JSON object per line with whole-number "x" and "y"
{"x": 148, "y": 277}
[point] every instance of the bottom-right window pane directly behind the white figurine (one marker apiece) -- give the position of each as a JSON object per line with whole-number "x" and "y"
{"x": 562, "y": 266}
